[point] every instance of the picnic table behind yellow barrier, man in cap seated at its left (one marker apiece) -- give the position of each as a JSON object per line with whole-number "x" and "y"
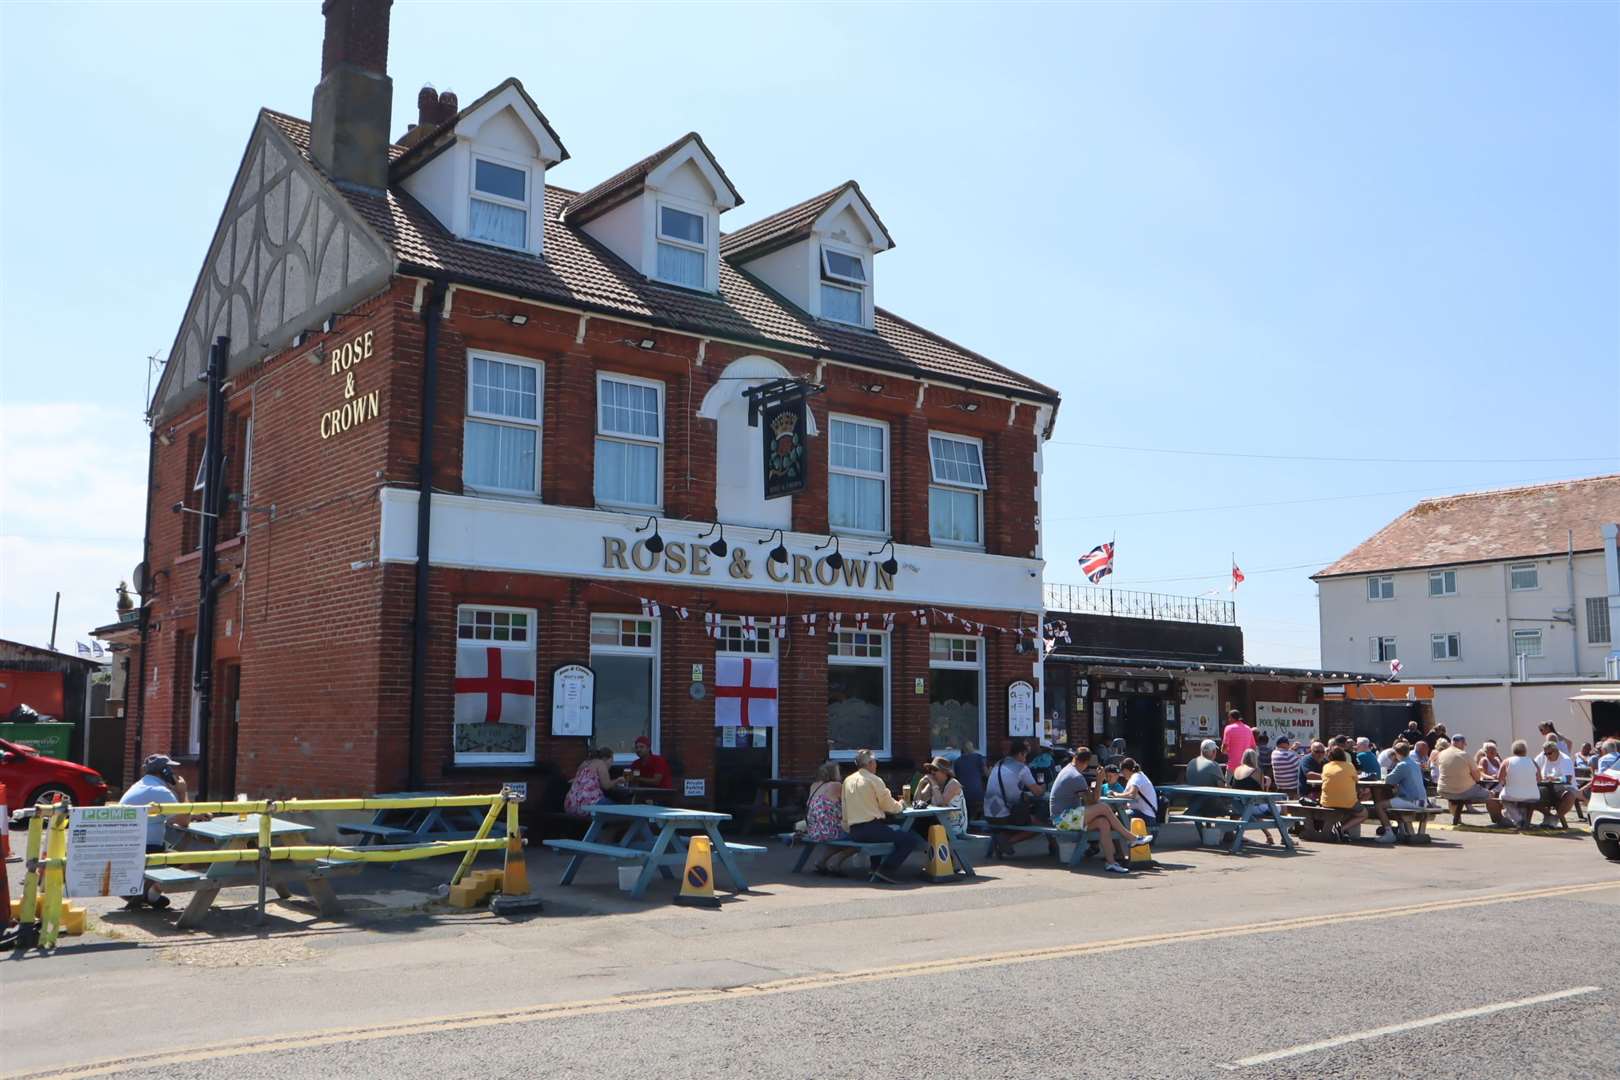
{"x": 232, "y": 833}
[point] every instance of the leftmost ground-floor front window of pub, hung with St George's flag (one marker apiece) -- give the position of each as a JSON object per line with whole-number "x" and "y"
{"x": 495, "y": 686}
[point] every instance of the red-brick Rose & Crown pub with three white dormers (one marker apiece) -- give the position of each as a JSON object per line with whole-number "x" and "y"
{"x": 652, "y": 444}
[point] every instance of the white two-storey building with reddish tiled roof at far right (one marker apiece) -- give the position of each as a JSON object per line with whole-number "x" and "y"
{"x": 1506, "y": 602}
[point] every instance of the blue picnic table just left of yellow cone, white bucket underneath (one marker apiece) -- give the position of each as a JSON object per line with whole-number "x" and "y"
{"x": 654, "y": 836}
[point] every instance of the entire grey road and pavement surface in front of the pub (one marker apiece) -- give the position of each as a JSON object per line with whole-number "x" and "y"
{"x": 1198, "y": 967}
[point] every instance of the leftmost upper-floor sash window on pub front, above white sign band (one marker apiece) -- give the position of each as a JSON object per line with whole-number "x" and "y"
{"x": 501, "y": 441}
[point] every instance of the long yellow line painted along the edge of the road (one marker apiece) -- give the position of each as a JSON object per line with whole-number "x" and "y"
{"x": 663, "y": 1000}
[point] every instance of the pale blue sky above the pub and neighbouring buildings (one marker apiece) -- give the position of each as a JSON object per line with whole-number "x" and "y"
{"x": 1295, "y": 231}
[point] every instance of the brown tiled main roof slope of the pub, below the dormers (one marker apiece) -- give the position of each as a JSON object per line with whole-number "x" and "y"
{"x": 579, "y": 271}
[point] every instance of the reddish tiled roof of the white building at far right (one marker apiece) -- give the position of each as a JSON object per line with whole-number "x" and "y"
{"x": 1488, "y": 527}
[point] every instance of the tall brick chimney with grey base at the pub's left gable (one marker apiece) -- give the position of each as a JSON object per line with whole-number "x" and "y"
{"x": 349, "y": 122}
